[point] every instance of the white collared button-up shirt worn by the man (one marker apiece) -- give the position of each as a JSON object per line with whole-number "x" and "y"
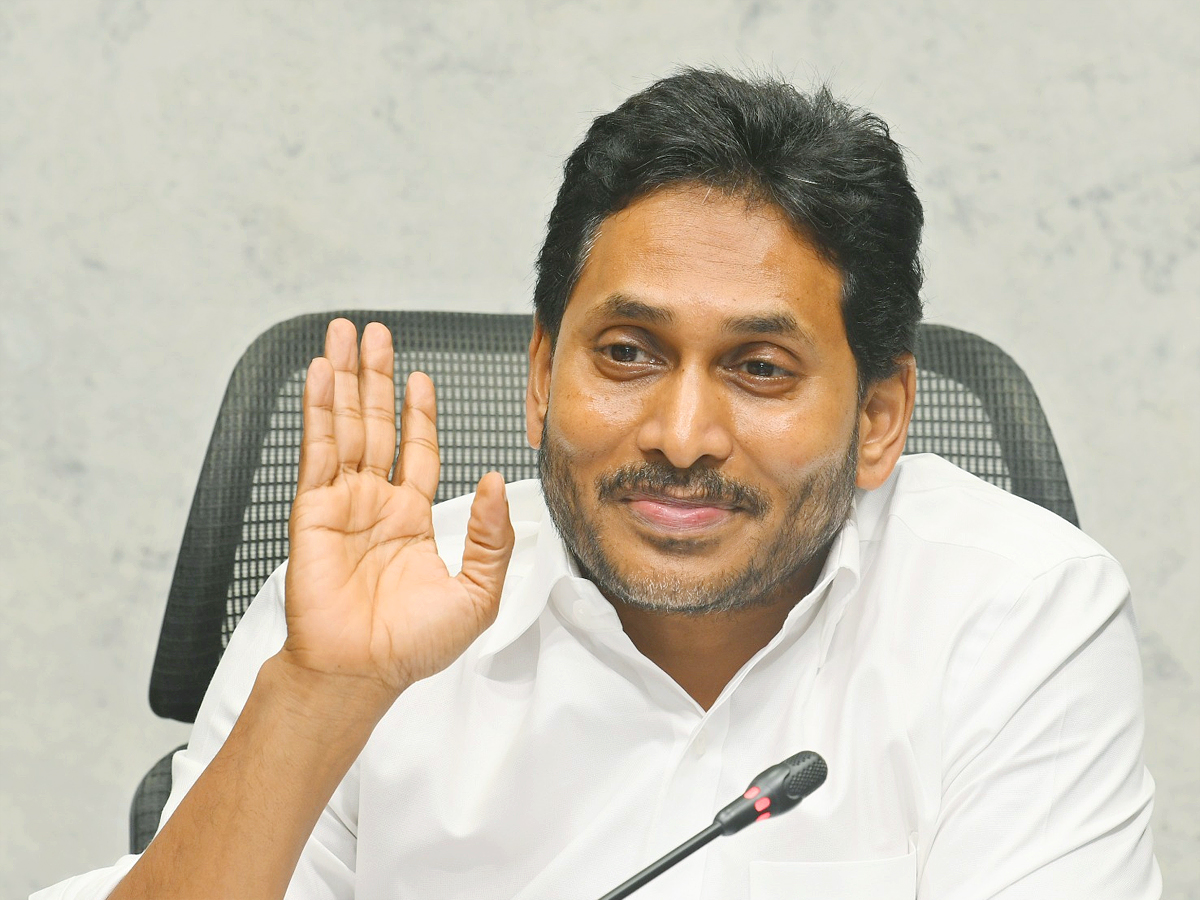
{"x": 967, "y": 664}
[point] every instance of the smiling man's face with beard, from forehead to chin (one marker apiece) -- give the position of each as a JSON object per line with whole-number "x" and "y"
{"x": 698, "y": 419}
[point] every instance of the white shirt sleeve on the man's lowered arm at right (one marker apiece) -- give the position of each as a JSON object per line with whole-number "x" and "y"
{"x": 1045, "y": 789}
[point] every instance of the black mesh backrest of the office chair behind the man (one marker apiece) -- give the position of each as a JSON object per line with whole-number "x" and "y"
{"x": 975, "y": 407}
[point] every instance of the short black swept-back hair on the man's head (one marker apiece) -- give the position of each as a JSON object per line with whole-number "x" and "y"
{"x": 833, "y": 171}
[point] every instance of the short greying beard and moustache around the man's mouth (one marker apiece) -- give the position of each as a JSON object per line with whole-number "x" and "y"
{"x": 817, "y": 508}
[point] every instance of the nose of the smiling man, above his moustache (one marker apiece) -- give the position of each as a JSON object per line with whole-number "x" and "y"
{"x": 687, "y": 422}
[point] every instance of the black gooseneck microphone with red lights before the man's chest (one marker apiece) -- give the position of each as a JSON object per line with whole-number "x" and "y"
{"x": 775, "y": 791}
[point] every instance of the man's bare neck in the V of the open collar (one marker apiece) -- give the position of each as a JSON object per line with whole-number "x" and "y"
{"x": 703, "y": 652}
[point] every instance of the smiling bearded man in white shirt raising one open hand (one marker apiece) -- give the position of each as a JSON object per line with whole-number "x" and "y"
{"x": 535, "y": 693}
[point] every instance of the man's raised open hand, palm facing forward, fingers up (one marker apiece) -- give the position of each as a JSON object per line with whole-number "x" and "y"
{"x": 368, "y": 596}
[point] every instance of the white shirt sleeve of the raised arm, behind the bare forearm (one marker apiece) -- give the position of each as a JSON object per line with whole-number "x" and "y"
{"x": 326, "y": 871}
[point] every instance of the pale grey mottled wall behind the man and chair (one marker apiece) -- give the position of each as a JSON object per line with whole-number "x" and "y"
{"x": 177, "y": 177}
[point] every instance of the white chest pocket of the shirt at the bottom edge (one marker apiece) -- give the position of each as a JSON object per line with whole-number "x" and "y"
{"x": 895, "y": 879}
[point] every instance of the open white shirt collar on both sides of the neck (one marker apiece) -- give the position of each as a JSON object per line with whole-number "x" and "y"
{"x": 549, "y": 571}
